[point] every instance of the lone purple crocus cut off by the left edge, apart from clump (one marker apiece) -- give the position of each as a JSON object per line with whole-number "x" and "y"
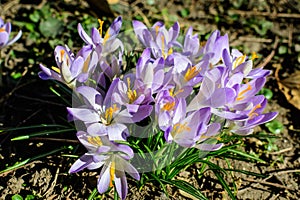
{"x": 5, "y": 31}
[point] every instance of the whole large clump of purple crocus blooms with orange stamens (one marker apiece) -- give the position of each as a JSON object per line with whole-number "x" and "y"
{"x": 191, "y": 91}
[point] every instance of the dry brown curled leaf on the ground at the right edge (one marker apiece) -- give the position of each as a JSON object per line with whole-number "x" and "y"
{"x": 290, "y": 87}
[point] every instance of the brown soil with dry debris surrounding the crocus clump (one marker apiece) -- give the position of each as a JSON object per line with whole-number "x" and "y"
{"x": 27, "y": 101}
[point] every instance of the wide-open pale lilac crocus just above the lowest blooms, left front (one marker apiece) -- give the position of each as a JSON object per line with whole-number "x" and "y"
{"x": 101, "y": 115}
